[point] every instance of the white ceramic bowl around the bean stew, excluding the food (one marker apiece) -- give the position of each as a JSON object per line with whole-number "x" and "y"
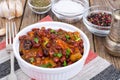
{"x": 39, "y": 73}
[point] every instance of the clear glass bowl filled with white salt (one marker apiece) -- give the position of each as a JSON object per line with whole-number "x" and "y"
{"x": 69, "y": 10}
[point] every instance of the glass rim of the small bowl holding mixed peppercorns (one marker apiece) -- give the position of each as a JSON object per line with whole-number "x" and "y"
{"x": 93, "y": 25}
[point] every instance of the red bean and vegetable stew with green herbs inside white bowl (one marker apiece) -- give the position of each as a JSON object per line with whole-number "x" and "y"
{"x": 51, "y": 48}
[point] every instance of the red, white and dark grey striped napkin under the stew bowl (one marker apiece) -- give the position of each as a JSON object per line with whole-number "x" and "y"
{"x": 96, "y": 68}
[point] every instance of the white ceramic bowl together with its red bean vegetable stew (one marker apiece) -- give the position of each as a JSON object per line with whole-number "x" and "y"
{"x": 51, "y": 50}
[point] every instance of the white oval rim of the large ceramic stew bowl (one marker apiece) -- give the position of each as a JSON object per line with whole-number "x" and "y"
{"x": 51, "y": 69}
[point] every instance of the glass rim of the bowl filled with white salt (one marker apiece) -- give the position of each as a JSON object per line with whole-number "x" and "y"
{"x": 69, "y": 16}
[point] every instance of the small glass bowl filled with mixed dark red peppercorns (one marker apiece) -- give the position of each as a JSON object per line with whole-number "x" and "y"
{"x": 98, "y": 20}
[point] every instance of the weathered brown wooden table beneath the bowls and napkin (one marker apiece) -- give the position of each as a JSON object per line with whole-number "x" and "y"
{"x": 96, "y": 43}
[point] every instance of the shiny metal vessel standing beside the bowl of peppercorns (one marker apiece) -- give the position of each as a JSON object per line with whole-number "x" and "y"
{"x": 112, "y": 41}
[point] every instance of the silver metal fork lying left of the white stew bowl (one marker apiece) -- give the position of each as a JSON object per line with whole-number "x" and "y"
{"x": 10, "y": 34}
